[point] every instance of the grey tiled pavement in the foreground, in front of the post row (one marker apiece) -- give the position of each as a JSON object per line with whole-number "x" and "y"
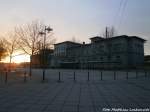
{"x": 75, "y": 96}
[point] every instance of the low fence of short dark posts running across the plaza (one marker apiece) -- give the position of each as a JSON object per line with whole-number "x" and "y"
{"x": 61, "y": 75}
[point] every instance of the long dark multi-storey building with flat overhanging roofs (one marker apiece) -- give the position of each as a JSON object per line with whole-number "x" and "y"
{"x": 116, "y": 52}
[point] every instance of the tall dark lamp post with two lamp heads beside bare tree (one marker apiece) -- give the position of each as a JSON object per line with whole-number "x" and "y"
{"x": 46, "y": 30}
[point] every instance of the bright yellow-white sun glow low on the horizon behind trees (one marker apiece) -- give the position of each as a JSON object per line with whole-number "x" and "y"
{"x": 20, "y": 59}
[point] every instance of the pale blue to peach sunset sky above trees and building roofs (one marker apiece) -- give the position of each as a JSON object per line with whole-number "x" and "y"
{"x": 80, "y": 18}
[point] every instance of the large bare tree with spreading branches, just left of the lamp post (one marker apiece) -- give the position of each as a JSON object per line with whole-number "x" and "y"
{"x": 31, "y": 41}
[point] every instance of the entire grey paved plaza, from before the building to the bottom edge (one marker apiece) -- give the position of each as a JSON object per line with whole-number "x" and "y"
{"x": 80, "y": 95}
